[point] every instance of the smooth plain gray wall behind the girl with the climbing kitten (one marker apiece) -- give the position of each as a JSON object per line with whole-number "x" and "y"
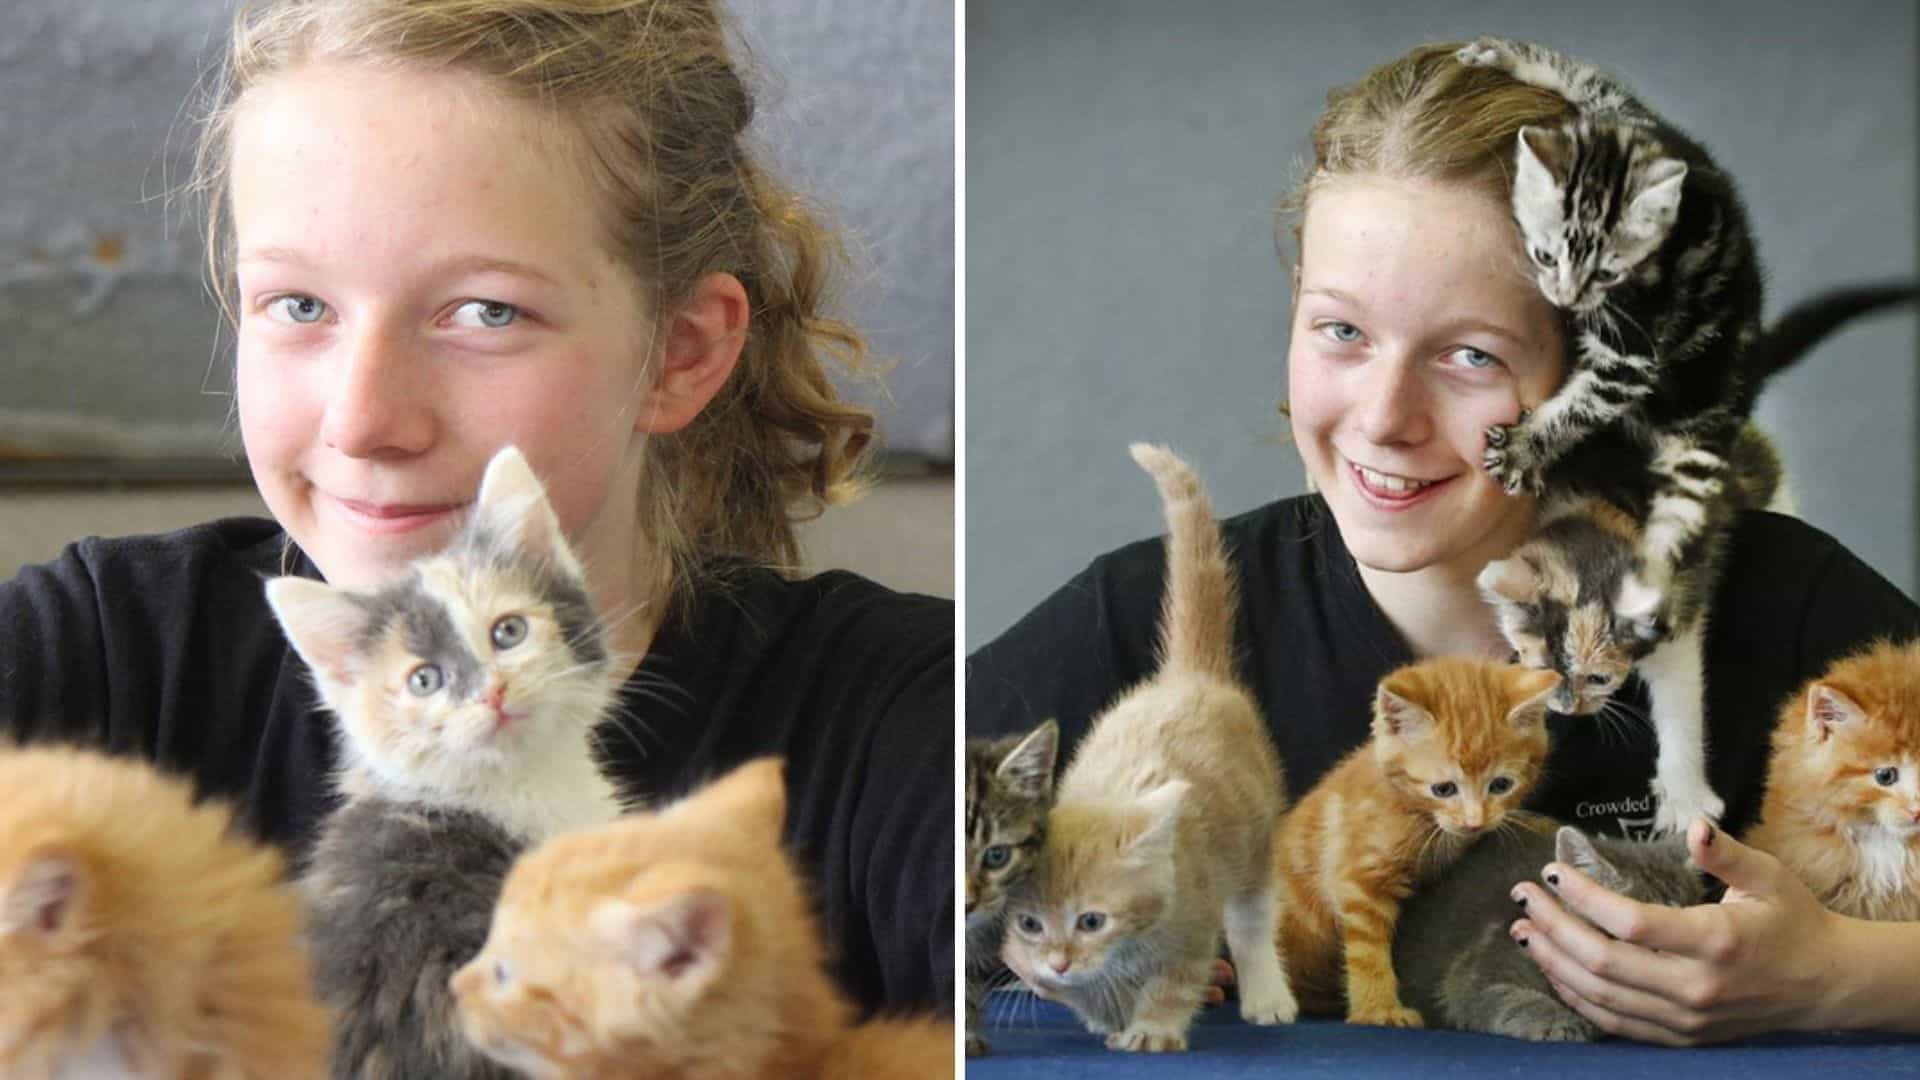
{"x": 1122, "y": 162}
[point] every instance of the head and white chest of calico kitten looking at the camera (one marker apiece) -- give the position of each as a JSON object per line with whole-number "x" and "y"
{"x": 475, "y": 679}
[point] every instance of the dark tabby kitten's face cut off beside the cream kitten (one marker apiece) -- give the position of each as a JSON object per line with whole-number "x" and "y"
{"x": 1009, "y": 789}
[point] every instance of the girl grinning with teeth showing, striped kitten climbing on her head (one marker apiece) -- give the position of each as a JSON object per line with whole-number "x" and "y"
{"x": 1414, "y": 328}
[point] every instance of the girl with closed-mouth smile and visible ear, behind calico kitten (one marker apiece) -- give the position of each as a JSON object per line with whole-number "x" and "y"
{"x": 450, "y": 226}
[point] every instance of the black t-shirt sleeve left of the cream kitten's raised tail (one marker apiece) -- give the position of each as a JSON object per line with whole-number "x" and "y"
{"x": 1074, "y": 654}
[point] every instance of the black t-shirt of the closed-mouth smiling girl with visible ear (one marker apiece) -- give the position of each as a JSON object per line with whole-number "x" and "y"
{"x": 164, "y": 649}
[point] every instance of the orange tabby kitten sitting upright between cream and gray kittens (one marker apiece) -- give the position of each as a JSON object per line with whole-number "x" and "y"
{"x": 1458, "y": 743}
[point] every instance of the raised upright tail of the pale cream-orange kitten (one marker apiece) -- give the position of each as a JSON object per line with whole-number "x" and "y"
{"x": 1199, "y": 608}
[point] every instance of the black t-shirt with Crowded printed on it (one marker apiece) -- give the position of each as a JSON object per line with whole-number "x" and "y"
{"x": 1312, "y": 647}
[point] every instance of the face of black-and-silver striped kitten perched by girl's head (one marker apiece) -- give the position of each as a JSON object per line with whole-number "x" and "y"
{"x": 1593, "y": 203}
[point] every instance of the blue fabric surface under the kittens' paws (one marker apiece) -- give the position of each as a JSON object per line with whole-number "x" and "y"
{"x": 1036, "y": 1039}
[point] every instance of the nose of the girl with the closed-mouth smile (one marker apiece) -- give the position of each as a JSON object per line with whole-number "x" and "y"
{"x": 377, "y": 405}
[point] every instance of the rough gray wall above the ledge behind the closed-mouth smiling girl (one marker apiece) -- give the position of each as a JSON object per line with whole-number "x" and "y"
{"x": 101, "y": 287}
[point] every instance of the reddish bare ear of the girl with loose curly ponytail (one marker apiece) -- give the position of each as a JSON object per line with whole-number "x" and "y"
{"x": 704, "y": 345}
